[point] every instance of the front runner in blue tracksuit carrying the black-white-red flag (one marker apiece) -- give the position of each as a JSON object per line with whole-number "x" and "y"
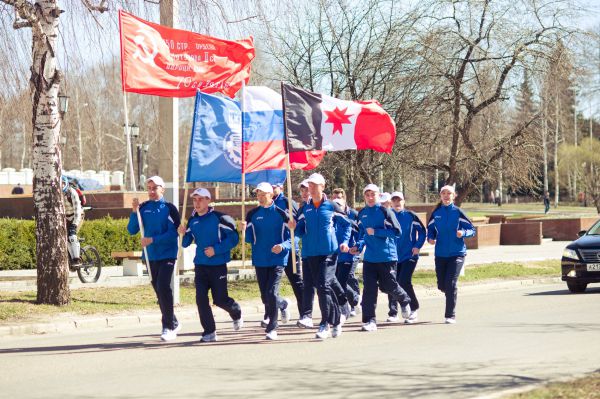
{"x": 317, "y": 226}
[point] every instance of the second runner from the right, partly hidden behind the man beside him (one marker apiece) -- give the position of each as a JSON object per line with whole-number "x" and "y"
{"x": 408, "y": 245}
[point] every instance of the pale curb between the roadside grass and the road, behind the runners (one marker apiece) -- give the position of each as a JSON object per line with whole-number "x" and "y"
{"x": 189, "y": 312}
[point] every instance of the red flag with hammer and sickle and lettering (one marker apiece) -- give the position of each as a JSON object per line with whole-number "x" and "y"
{"x": 168, "y": 62}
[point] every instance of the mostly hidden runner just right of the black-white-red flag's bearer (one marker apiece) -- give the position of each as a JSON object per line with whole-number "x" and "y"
{"x": 347, "y": 262}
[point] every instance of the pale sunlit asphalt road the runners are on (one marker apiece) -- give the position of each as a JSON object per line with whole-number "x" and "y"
{"x": 503, "y": 339}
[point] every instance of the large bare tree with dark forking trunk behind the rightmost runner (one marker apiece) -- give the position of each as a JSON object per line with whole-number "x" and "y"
{"x": 472, "y": 38}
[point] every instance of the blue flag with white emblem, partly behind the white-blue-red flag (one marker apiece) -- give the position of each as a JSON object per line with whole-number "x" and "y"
{"x": 216, "y": 144}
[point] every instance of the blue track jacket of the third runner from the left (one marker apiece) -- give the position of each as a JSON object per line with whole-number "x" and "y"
{"x": 266, "y": 227}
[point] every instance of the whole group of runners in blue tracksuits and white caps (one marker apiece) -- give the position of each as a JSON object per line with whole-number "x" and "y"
{"x": 333, "y": 236}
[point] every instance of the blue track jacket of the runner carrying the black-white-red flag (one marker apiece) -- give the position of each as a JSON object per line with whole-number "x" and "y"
{"x": 318, "y": 226}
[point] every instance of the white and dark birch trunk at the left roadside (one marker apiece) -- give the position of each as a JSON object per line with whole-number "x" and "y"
{"x": 51, "y": 247}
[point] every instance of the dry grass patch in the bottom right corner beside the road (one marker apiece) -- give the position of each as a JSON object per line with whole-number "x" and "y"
{"x": 582, "y": 388}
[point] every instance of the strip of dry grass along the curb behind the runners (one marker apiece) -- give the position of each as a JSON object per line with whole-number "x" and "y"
{"x": 21, "y": 306}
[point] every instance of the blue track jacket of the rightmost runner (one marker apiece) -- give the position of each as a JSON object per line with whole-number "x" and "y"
{"x": 443, "y": 224}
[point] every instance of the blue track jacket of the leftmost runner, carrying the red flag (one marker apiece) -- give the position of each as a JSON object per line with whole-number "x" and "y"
{"x": 161, "y": 220}
